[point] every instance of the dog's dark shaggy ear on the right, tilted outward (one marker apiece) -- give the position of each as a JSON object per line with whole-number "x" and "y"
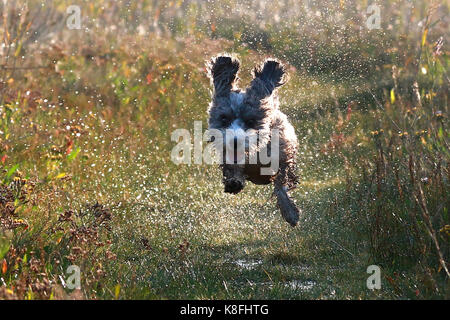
{"x": 267, "y": 77}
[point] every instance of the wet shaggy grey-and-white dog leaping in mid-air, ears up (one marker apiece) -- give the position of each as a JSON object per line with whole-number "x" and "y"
{"x": 240, "y": 115}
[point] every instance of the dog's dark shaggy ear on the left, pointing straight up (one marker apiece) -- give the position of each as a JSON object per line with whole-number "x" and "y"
{"x": 223, "y": 71}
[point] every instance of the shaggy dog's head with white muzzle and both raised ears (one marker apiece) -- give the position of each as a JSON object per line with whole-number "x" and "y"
{"x": 243, "y": 117}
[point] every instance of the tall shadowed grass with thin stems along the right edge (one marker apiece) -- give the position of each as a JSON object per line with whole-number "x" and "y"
{"x": 407, "y": 187}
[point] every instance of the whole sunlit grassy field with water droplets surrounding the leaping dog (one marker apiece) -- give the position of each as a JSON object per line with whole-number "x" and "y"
{"x": 86, "y": 118}
